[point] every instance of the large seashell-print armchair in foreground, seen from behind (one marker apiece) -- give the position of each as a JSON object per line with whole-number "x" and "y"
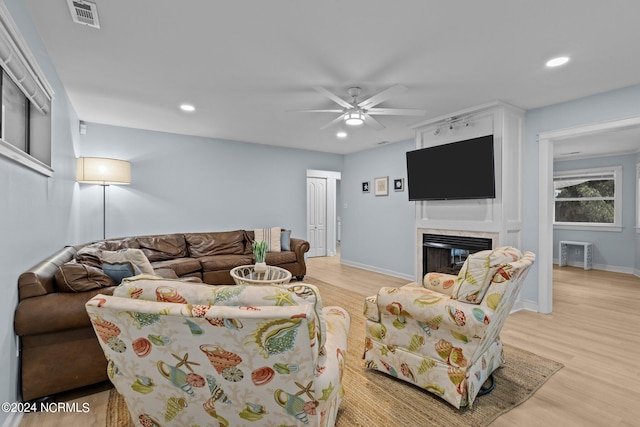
{"x": 184, "y": 354}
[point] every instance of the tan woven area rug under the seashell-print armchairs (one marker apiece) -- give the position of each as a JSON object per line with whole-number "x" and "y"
{"x": 374, "y": 399}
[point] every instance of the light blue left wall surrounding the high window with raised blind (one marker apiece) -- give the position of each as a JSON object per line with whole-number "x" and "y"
{"x": 37, "y": 214}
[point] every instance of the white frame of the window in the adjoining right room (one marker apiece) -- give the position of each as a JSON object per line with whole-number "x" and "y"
{"x": 617, "y": 199}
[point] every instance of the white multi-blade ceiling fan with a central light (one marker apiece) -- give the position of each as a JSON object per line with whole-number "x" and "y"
{"x": 357, "y": 112}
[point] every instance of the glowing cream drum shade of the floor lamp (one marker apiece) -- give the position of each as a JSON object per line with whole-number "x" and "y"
{"x": 98, "y": 170}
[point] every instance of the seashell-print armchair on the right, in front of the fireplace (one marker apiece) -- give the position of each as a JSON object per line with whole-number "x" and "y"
{"x": 443, "y": 335}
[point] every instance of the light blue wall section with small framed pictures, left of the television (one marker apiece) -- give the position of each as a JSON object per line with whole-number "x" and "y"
{"x": 378, "y": 232}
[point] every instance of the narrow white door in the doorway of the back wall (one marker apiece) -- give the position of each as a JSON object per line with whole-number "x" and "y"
{"x": 317, "y": 216}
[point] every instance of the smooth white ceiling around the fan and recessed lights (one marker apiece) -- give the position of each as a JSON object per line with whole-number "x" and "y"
{"x": 246, "y": 65}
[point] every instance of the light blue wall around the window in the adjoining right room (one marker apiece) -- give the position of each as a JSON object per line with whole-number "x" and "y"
{"x": 615, "y": 251}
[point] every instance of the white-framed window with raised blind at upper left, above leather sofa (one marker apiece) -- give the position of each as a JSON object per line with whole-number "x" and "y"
{"x": 25, "y": 116}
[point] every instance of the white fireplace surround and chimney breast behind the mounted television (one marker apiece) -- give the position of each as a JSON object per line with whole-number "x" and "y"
{"x": 499, "y": 219}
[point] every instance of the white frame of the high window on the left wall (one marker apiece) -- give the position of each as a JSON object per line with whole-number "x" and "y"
{"x": 21, "y": 67}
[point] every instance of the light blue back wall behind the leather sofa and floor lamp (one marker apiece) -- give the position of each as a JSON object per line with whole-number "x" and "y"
{"x": 184, "y": 183}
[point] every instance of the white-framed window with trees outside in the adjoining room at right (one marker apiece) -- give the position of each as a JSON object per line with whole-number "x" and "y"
{"x": 588, "y": 198}
